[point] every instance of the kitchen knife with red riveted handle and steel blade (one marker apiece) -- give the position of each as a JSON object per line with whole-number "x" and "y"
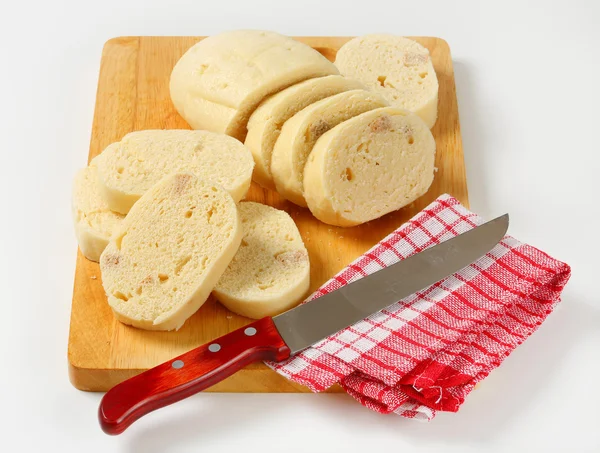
{"x": 276, "y": 339}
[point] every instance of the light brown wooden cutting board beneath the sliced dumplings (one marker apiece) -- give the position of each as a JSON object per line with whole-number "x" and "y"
{"x": 133, "y": 95}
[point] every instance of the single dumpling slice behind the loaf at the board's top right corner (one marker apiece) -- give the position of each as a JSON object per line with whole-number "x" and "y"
{"x": 398, "y": 68}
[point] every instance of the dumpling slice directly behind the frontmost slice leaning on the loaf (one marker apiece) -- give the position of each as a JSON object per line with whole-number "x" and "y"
{"x": 301, "y": 132}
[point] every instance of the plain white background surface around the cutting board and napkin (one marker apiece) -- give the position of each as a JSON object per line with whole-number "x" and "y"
{"x": 527, "y": 78}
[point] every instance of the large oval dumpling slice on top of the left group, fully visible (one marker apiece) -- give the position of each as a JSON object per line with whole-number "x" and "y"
{"x": 162, "y": 263}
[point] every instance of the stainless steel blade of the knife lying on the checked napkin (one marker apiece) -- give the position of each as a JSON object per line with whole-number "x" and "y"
{"x": 309, "y": 323}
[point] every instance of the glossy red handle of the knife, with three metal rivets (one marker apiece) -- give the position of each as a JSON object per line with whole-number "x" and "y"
{"x": 190, "y": 373}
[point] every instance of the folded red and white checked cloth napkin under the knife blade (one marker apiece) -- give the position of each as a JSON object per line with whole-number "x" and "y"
{"x": 427, "y": 352}
